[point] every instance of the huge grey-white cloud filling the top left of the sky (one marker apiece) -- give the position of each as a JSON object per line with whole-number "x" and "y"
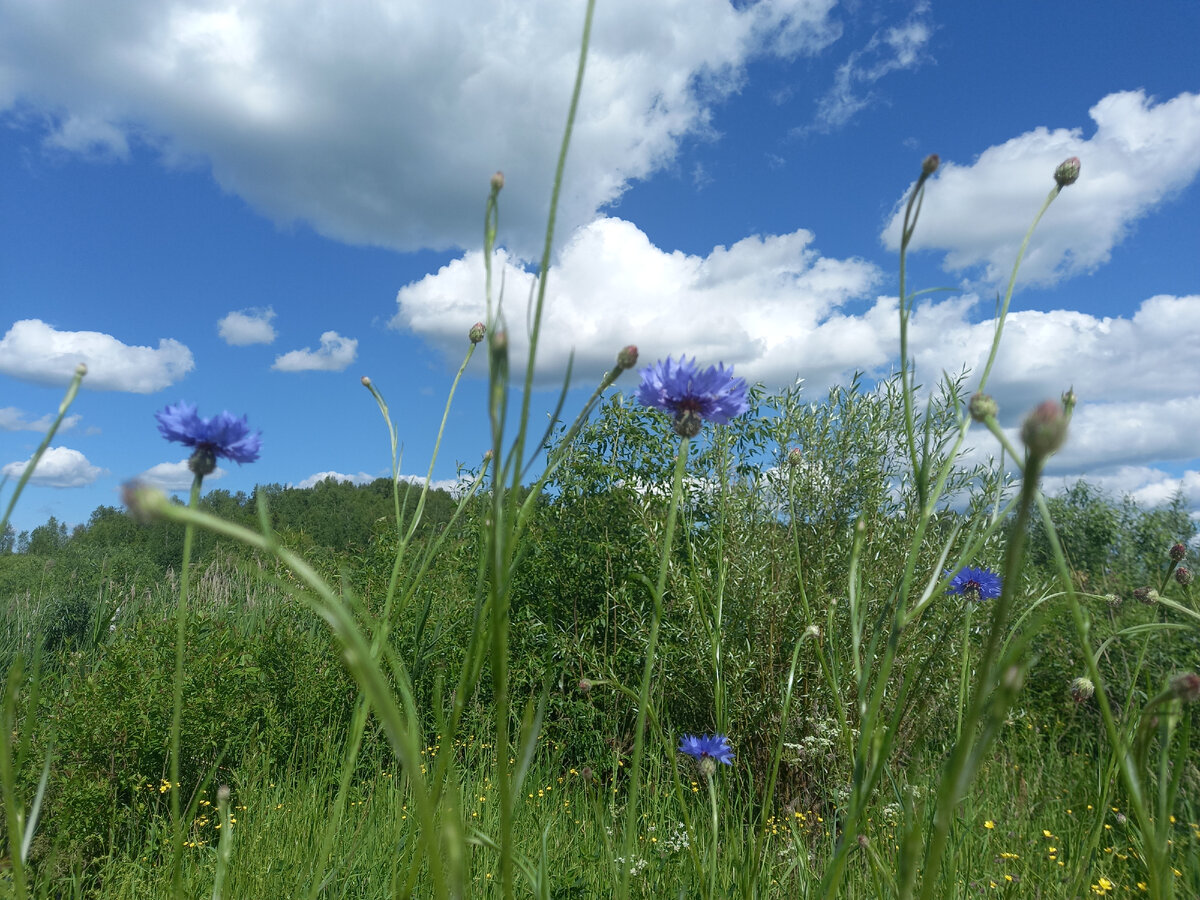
{"x": 381, "y": 123}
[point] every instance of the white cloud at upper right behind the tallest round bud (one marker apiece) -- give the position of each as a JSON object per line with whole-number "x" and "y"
{"x": 1142, "y": 153}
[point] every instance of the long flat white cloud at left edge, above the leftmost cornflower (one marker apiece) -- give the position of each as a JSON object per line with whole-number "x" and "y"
{"x": 37, "y": 352}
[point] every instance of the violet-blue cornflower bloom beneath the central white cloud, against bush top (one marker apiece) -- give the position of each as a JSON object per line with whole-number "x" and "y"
{"x": 693, "y": 394}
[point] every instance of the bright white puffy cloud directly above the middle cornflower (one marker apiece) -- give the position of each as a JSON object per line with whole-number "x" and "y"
{"x": 771, "y": 305}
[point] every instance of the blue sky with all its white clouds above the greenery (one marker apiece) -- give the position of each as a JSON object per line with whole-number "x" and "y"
{"x": 250, "y": 206}
